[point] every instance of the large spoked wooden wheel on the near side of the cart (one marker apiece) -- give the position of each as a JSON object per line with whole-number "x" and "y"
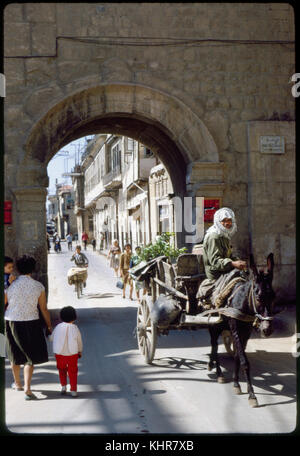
{"x": 146, "y": 332}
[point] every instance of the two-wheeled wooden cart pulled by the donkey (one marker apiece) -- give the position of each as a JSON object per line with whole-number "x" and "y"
{"x": 170, "y": 302}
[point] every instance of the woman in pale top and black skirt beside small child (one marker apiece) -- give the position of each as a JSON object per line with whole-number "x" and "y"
{"x": 25, "y": 339}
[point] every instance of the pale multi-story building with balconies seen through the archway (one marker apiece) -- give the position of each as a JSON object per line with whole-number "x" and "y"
{"x": 112, "y": 187}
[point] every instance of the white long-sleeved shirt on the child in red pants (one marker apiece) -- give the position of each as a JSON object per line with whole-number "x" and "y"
{"x": 66, "y": 339}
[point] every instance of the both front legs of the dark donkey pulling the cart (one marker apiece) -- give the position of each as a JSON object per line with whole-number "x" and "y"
{"x": 241, "y": 358}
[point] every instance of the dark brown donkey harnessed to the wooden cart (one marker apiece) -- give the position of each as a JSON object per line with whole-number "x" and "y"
{"x": 249, "y": 304}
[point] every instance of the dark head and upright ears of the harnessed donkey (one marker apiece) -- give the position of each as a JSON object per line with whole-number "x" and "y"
{"x": 263, "y": 294}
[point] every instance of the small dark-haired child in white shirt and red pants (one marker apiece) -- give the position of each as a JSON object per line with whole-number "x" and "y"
{"x": 67, "y": 347}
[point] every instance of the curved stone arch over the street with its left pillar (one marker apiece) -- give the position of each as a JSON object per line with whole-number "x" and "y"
{"x": 163, "y": 123}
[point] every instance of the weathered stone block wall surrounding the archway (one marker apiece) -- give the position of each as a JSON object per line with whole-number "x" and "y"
{"x": 199, "y": 72}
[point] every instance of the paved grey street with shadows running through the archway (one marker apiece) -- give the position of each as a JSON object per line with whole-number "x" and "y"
{"x": 119, "y": 393}
